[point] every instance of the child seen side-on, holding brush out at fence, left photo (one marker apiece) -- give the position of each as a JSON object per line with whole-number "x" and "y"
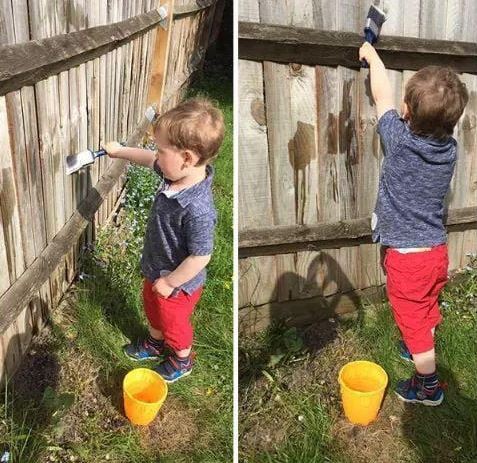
{"x": 180, "y": 231}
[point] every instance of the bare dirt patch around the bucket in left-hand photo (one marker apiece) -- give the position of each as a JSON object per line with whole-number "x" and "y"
{"x": 61, "y": 365}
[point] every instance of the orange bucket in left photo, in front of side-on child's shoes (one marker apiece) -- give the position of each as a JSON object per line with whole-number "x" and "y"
{"x": 144, "y": 393}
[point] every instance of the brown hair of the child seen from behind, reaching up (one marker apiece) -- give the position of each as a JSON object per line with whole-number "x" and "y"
{"x": 435, "y": 98}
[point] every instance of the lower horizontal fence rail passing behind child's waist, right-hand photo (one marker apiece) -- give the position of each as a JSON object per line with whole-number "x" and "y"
{"x": 290, "y": 238}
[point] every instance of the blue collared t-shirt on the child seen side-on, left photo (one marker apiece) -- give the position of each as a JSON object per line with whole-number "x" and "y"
{"x": 179, "y": 226}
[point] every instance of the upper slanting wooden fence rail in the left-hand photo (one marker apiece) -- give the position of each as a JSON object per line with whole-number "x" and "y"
{"x": 24, "y": 64}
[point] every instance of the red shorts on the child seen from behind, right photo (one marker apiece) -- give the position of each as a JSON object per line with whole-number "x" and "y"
{"x": 413, "y": 284}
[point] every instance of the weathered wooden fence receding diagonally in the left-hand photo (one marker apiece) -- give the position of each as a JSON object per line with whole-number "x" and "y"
{"x": 72, "y": 76}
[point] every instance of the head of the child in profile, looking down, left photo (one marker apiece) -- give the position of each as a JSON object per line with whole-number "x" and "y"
{"x": 188, "y": 136}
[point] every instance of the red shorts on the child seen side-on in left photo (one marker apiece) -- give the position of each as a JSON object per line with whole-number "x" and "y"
{"x": 171, "y": 315}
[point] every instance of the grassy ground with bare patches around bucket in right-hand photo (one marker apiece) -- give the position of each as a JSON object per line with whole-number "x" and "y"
{"x": 291, "y": 410}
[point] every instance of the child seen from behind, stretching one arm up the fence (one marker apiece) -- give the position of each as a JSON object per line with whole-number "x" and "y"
{"x": 419, "y": 160}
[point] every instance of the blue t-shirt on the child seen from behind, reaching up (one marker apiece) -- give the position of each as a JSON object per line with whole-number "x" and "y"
{"x": 415, "y": 178}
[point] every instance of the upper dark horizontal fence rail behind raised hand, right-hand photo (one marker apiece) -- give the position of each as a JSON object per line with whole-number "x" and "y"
{"x": 288, "y": 44}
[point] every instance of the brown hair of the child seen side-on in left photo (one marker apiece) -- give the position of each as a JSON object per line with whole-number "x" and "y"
{"x": 195, "y": 124}
